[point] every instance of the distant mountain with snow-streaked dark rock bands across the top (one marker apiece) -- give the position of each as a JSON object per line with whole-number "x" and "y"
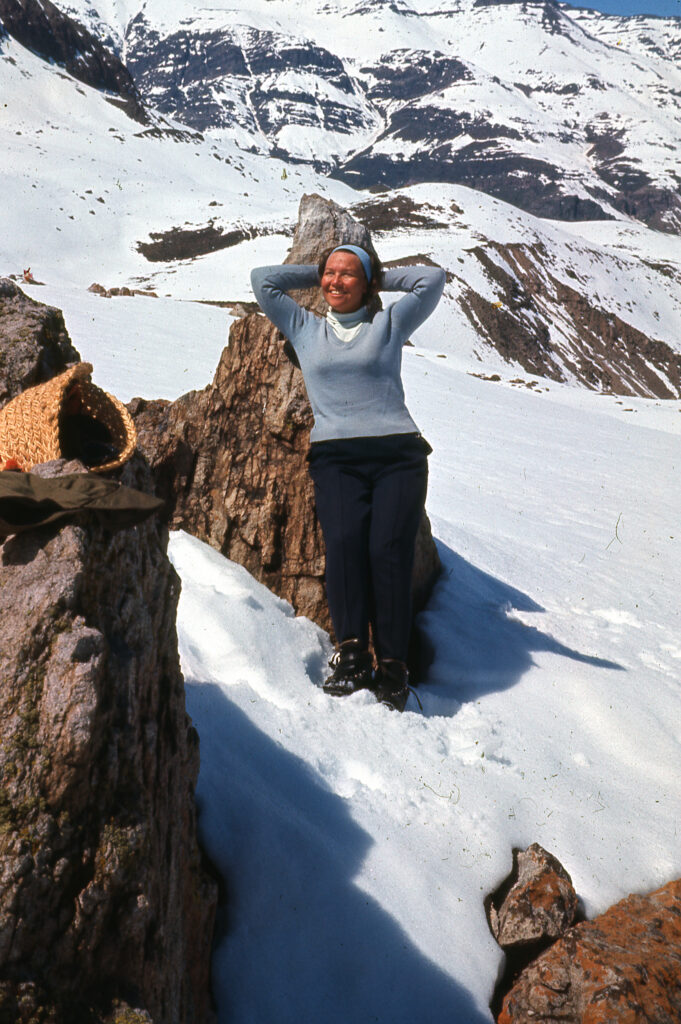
{"x": 567, "y": 114}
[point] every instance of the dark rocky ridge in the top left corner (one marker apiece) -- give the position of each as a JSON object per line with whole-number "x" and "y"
{"x": 40, "y": 27}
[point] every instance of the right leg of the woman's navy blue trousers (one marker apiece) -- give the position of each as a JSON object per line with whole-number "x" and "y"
{"x": 399, "y": 499}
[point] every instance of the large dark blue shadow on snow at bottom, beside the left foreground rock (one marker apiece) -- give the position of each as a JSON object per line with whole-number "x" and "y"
{"x": 300, "y": 942}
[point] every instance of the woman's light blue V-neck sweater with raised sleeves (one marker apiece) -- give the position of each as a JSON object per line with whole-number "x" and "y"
{"x": 355, "y": 388}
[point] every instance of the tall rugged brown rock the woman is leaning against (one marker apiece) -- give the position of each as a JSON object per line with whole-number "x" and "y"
{"x": 232, "y": 459}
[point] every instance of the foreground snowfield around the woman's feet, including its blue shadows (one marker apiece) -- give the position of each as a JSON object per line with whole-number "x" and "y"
{"x": 359, "y": 844}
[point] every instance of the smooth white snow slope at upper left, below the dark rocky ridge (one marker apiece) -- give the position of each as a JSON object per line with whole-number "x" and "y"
{"x": 84, "y": 182}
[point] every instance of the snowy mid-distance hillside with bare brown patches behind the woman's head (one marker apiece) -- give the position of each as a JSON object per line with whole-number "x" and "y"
{"x": 93, "y": 196}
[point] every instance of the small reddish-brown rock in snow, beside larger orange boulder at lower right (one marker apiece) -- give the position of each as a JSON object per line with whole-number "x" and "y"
{"x": 541, "y": 904}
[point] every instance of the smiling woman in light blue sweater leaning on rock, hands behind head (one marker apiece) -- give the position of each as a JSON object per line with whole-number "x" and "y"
{"x": 367, "y": 459}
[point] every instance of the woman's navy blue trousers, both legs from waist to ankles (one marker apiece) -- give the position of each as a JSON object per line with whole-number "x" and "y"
{"x": 370, "y": 496}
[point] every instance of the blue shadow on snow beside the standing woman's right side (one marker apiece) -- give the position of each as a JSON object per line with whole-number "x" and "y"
{"x": 471, "y": 645}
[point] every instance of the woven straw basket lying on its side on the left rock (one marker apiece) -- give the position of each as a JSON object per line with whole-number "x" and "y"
{"x": 31, "y": 423}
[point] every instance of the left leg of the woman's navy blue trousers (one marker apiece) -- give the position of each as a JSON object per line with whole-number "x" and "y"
{"x": 344, "y": 508}
